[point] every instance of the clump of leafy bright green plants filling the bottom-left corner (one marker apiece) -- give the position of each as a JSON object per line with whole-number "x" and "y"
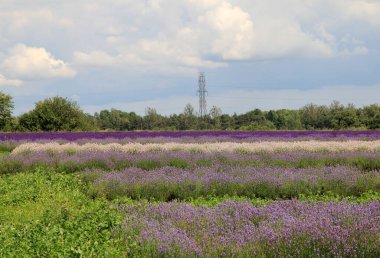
{"x": 44, "y": 214}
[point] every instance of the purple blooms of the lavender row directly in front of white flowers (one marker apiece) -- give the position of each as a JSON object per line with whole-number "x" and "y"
{"x": 192, "y": 159}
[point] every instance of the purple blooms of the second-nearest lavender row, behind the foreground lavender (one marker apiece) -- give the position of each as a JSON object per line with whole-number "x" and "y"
{"x": 276, "y": 176}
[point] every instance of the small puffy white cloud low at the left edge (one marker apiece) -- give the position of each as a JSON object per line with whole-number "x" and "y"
{"x": 31, "y": 63}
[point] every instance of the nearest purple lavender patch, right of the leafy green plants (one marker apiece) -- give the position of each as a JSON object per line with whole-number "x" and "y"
{"x": 282, "y": 229}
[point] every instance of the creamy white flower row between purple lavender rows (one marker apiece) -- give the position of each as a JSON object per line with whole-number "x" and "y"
{"x": 269, "y": 146}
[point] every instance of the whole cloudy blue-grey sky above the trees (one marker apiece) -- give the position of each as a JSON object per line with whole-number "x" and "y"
{"x": 130, "y": 55}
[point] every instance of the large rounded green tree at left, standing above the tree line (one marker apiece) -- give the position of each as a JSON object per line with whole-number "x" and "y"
{"x": 56, "y": 114}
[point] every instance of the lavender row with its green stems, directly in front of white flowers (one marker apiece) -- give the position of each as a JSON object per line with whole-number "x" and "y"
{"x": 73, "y": 161}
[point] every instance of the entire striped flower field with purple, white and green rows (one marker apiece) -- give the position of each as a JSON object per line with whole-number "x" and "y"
{"x": 190, "y": 194}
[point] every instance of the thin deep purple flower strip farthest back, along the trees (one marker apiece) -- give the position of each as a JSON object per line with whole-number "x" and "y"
{"x": 201, "y": 135}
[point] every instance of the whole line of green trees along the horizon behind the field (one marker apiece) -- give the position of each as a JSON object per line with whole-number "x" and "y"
{"x": 62, "y": 114}
